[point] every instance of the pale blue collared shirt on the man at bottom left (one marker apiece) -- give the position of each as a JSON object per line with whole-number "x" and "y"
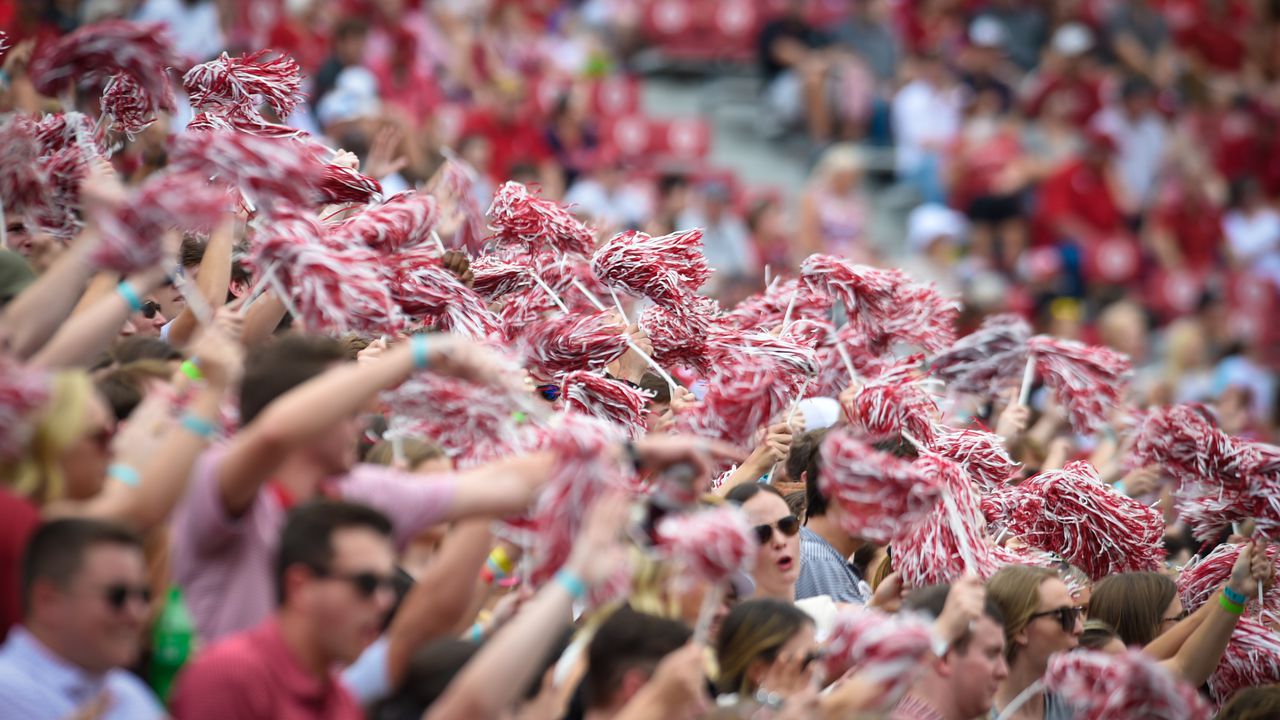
{"x": 38, "y": 685}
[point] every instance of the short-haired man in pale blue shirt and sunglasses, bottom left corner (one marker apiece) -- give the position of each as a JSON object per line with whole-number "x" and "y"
{"x": 86, "y": 601}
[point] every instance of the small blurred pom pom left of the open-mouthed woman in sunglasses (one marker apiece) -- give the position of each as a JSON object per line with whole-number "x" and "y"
{"x": 712, "y": 545}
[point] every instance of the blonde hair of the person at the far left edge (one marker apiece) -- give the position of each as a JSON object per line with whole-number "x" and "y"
{"x": 38, "y": 473}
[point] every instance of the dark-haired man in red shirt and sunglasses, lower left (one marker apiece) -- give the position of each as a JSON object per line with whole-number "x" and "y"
{"x": 335, "y": 585}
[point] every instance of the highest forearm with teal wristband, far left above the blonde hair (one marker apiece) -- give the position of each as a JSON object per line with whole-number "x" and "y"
{"x": 86, "y": 335}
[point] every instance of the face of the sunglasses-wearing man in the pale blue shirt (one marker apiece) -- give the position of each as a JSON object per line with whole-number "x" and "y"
{"x": 100, "y": 616}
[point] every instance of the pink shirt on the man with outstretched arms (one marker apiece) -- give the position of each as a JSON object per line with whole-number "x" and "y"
{"x": 226, "y": 566}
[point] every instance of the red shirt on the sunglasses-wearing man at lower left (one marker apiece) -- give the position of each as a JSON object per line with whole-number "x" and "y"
{"x": 254, "y": 676}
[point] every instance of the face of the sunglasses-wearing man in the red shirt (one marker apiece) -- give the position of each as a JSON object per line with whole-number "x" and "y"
{"x": 348, "y": 618}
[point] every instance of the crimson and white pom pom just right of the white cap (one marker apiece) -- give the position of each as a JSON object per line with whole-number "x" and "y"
{"x": 897, "y": 404}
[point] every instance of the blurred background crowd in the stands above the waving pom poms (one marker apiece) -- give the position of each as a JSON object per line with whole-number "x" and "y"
{"x": 1103, "y": 167}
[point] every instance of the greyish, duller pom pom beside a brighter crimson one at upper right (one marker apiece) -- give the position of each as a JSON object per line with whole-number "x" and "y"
{"x": 986, "y": 361}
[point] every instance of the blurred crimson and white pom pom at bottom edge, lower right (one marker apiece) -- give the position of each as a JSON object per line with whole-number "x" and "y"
{"x": 1100, "y": 686}
